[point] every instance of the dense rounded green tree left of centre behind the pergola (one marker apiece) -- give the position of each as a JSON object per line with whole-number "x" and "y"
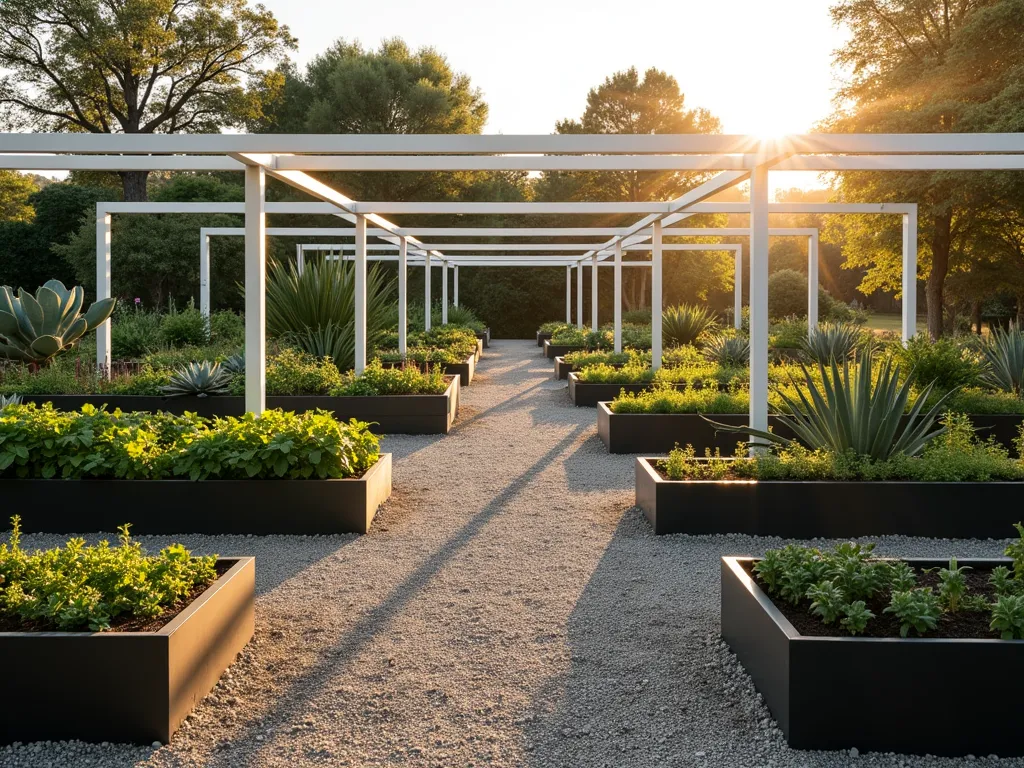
{"x": 350, "y": 90}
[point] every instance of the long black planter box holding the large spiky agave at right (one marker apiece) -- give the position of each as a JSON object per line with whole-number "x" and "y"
{"x": 830, "y": 509}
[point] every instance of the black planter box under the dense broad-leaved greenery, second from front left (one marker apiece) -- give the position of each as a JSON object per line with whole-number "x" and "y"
{"x": 214, "y": 507}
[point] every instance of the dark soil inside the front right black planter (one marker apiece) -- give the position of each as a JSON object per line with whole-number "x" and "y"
{"x": 962, "y": 625}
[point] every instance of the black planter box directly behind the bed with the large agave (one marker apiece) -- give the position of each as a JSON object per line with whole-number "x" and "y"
{"x": 659, "y": 434}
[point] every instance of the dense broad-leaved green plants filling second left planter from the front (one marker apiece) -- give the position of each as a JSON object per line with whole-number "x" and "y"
{"x": 40, "y": 442}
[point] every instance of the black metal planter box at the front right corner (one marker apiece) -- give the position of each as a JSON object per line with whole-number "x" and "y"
{"x": 917, "y": 696}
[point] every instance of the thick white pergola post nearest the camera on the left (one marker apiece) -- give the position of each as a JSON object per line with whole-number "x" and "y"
{"x": 255, "y": 289}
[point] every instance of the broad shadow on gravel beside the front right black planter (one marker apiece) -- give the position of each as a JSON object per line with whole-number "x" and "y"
{"x": 642, "y": 688}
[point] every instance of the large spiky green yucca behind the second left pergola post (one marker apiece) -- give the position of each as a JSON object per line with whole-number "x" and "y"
{"x": 316, "y": 311}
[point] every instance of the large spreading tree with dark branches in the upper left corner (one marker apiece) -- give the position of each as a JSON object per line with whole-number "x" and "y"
{"x": 137, "y": 67}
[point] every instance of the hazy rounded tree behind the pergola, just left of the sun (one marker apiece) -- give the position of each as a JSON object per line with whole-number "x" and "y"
{"x": 625, "y": 103}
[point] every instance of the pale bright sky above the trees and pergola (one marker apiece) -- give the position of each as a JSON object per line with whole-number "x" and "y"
{"x": 763, "y": 68}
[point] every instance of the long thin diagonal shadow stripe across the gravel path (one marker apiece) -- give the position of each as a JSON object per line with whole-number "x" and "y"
{"x": 335, "y": 659}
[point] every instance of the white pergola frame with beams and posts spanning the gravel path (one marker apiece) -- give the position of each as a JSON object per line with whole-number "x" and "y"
{"x": 738, "y": 159}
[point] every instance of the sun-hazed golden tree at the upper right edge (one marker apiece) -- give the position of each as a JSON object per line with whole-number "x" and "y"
{"x": 925, "y": 67}
